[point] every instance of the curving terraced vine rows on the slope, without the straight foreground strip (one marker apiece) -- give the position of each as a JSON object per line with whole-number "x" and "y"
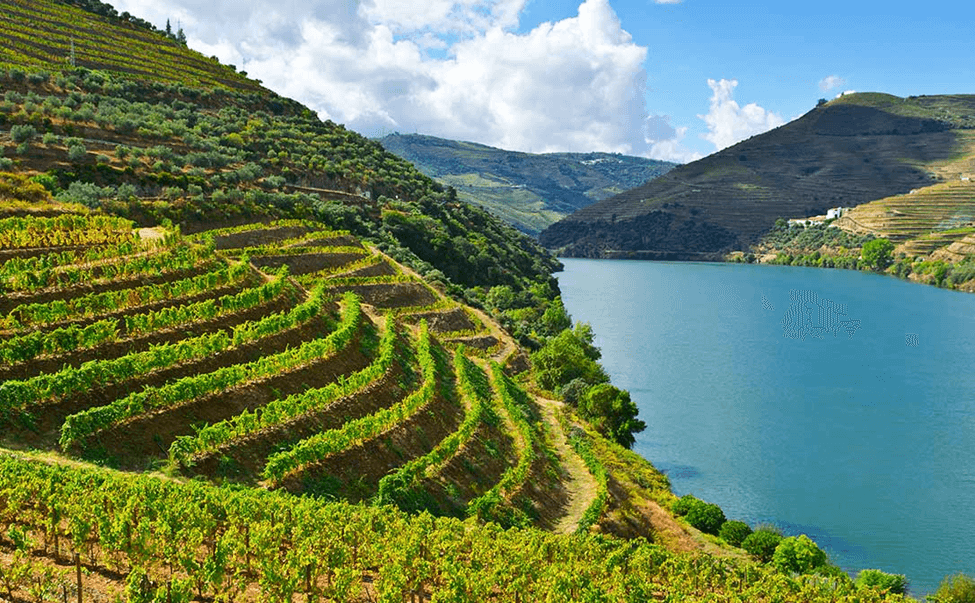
{"x": 283, "y": 354}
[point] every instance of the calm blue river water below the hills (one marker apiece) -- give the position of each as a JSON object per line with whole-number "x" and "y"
{"x": 864, "y": 440}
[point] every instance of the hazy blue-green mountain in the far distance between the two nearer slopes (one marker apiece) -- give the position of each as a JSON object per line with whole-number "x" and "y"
{"x": 530, "y": 191}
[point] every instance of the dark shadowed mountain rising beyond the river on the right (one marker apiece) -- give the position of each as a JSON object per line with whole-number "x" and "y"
{"x": 847, "y": 152}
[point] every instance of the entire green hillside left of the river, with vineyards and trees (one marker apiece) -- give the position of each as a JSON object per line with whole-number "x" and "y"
{"x": 247, "y": 355}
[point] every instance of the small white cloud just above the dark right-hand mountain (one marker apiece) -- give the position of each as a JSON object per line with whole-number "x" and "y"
{"x": 729, "y": 123}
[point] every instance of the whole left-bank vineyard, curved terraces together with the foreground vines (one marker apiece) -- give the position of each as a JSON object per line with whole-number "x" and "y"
{"x": 303, "y": 361}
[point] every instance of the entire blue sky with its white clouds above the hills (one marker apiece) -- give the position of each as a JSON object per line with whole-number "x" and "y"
{"x": 666, "y": 79}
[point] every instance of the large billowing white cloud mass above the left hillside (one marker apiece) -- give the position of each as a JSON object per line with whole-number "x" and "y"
{"x": 455, "y": 69}
